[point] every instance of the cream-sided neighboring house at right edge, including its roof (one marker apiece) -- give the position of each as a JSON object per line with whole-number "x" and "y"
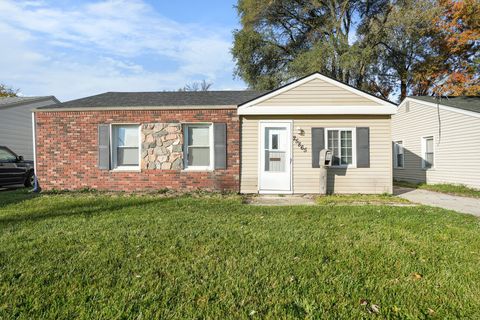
{"x": 437, "y": 140}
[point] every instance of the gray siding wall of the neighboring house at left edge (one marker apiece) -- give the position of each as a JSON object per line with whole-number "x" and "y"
{"x": 16, "y": 127}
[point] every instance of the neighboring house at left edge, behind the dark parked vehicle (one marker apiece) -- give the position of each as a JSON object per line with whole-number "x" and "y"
{"x": 16, "y": 122}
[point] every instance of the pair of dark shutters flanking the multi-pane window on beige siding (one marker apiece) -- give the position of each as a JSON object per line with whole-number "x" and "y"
{"x": 363, "y": 146}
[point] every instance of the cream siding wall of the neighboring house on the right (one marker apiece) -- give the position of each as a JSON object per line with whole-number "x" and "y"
{"x": 456, "y": 142}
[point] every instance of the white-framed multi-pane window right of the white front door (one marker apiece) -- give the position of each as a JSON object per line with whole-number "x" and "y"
{"x": 341, "y": 143}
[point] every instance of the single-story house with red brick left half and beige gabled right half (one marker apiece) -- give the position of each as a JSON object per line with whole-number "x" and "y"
{"x": 247, "y": 141}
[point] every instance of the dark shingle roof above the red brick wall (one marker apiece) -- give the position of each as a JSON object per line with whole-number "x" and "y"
{"x": 160, "y": 99}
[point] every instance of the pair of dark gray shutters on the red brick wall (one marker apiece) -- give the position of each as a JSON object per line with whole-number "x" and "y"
{"x": 219, "y": 138}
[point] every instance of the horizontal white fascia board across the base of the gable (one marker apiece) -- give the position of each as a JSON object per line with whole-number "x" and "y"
{"x": 318, "y": 110}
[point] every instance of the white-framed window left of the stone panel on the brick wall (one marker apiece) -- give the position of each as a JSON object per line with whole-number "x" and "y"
{"x": 125, "y": 146}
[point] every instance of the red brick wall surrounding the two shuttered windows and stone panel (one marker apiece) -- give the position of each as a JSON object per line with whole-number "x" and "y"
{"x": 67, "y": 150}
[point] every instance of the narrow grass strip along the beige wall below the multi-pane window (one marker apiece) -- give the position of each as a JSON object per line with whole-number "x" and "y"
{"x": 355, "y": 199}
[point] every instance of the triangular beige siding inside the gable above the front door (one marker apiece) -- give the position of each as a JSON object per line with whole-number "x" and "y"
{"x": 318, "y": 93}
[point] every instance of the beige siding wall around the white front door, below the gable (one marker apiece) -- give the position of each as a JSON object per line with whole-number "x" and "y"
{"x": 376, "y": 179}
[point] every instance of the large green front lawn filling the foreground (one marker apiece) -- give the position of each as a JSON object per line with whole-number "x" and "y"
{"x": 97, "y": 256}
